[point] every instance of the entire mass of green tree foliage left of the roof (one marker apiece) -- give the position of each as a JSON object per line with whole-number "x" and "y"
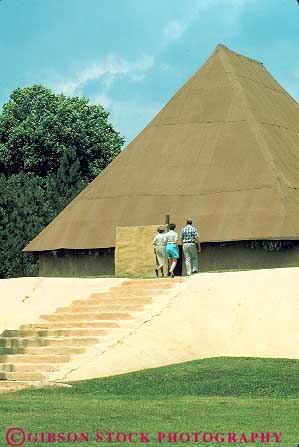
{"x": 51, "y": 146}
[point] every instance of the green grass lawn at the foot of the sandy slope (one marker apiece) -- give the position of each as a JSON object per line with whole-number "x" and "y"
{"x": 212, "y": 395}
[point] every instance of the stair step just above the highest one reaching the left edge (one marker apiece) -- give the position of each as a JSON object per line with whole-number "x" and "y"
{"x": 72, "y": 325}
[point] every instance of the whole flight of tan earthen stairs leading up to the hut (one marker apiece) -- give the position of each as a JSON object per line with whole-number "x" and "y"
{"x": 34, "y": 354}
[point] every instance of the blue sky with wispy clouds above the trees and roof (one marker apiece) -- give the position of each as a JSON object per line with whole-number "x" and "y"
{"x": 131, "y": 56}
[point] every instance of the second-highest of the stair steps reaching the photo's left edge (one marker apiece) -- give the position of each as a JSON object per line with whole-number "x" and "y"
{"x": 22, "y": 342}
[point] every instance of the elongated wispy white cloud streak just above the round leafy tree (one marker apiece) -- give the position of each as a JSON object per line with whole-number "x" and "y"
{"x": 107, "y": 71}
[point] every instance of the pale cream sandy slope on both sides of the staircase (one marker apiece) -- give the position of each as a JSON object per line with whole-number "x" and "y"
{"x": 252, "y": 313}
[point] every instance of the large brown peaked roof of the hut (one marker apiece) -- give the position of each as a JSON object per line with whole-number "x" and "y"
{"x": 224, "y": 150}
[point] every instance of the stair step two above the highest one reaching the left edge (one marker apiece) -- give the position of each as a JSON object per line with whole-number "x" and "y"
{"x": 87, "y": 316}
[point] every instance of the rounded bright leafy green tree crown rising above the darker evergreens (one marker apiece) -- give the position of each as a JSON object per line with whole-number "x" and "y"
{"x": 38, "y": 128}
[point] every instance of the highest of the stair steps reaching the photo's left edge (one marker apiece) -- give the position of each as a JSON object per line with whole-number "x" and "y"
{"x": 56, "y": 331}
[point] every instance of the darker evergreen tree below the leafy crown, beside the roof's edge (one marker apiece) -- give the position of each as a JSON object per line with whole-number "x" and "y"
{"x": 27, "y": 204}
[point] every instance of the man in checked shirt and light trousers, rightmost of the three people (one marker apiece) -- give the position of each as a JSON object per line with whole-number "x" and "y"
{"x": 190, "y": 241}
